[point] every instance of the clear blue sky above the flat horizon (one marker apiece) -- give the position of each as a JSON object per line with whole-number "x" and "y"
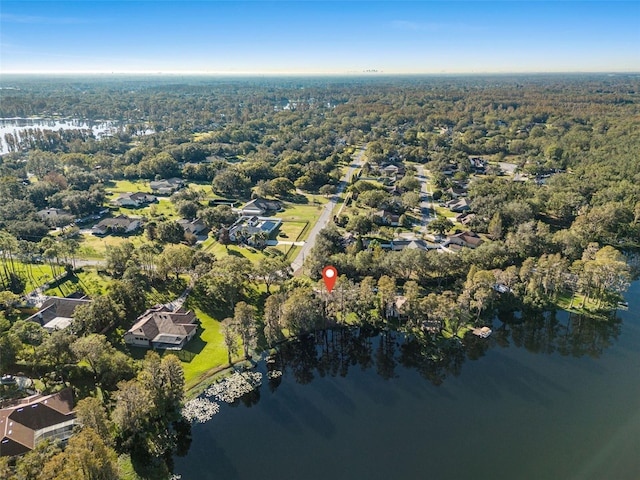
{"x": 309, "y": 37}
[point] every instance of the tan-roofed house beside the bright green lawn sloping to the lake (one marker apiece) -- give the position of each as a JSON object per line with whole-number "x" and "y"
{"x": 160, "y": 327}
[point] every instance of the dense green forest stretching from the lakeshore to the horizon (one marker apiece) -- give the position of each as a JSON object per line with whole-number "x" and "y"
{"x": 561, "y": 230}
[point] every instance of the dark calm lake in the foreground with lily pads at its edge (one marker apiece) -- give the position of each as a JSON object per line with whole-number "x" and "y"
{"x": 548, "y": 397}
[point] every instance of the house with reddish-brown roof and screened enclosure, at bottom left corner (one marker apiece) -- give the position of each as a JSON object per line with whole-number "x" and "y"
{"x": 35, "y": 419}
